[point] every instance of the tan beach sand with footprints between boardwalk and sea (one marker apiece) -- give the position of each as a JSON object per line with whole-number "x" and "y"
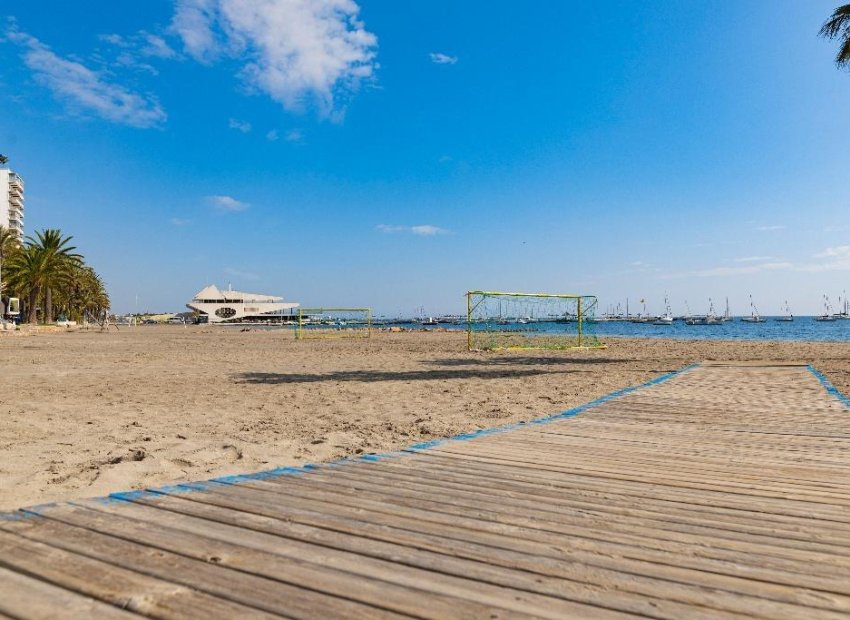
{"x": 87, "y": 413}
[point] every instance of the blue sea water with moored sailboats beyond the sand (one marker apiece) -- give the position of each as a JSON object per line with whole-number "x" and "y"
{"x": 801, "y": 328}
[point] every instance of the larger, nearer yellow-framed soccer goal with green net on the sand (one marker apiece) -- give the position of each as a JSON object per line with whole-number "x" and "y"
{"x": 496, "y": 320}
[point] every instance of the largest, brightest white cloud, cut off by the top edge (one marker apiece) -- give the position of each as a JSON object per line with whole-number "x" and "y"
{"x": 296, "y": 51}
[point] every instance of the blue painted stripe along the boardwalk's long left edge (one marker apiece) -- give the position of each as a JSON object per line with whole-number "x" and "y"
{"x": 195, "y": 487}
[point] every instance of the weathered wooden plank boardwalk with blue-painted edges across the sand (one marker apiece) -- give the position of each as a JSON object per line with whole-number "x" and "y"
{"x": 720, "y": 492}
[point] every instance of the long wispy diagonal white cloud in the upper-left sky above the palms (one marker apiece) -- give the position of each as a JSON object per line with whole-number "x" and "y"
{"x": 85, "y": 90}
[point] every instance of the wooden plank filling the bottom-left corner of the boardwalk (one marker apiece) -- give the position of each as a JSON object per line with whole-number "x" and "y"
{"x": 22, "y": 596}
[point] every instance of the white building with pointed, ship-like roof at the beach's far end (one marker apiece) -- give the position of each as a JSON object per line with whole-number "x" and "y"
{"x": 231, "y": 306}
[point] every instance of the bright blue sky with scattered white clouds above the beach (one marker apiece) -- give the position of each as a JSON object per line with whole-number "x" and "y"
{"x": 396, "y": 154}
